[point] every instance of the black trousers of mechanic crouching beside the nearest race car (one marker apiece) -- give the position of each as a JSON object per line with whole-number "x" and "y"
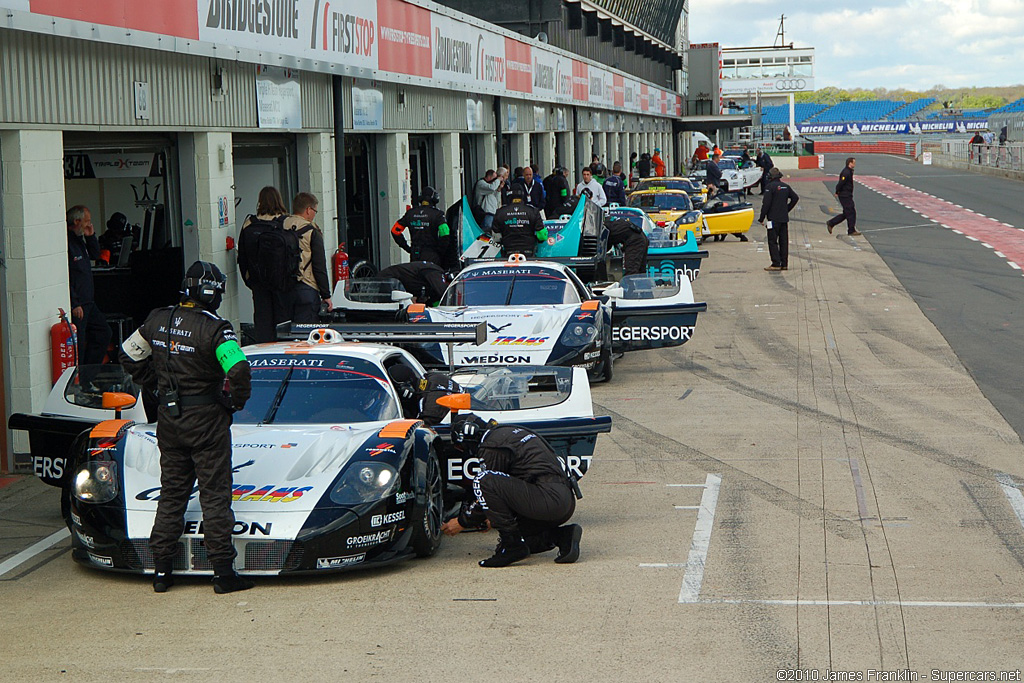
{"x": 517, "y": 507}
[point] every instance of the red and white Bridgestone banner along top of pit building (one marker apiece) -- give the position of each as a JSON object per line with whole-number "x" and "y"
{"x": 395, "y": 40}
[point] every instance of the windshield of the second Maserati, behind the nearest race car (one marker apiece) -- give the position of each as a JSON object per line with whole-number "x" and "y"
{"x": 526, "y": 287}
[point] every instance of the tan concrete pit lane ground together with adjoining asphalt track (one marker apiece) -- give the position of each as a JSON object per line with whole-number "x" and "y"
{"x": 815, "y": 483}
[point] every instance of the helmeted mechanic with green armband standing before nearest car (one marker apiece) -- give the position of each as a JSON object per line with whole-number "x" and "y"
{"x": 184, "y": 353}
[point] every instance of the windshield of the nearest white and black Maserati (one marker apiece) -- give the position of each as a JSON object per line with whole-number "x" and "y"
{"x": 316, "y": 396}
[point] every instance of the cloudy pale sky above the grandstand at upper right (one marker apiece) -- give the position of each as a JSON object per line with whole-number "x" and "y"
{"x": 913, "y": 45}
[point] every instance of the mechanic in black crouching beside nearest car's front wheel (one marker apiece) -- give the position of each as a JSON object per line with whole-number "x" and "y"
{"x": 522, "y": 491}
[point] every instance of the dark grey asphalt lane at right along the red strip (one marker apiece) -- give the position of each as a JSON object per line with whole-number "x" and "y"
{"x": 970, "y": 294}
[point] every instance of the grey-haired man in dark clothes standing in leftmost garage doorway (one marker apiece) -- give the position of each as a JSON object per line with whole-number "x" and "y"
{"x": 83, "y": 248}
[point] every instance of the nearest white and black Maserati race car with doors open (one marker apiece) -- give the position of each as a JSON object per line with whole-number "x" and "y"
{"x": 329, "y": 474}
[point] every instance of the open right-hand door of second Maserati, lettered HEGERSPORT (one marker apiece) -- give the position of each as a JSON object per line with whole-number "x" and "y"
{"x": 653, "y": 313}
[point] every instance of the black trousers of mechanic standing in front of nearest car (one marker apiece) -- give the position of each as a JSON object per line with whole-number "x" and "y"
{"x": 195, "y": 446}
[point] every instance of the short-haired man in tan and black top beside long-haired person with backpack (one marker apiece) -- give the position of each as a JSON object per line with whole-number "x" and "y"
{"x": 314, "y": 284}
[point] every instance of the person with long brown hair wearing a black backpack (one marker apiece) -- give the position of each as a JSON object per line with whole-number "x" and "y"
{"x": 258, "y": 255}
